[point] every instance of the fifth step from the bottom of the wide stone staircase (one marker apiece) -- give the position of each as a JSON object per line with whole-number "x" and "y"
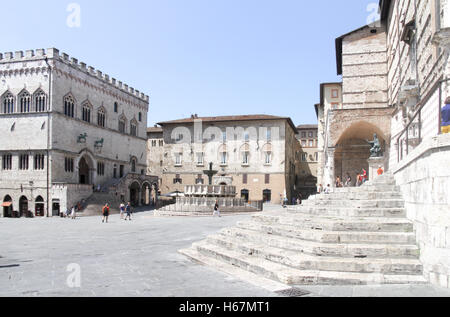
{"x": 303, "y": 221}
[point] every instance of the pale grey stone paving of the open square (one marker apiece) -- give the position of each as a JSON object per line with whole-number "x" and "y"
{"x": 38, "y": 257}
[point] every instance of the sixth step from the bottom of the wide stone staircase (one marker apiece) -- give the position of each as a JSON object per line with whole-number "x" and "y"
{"x": 334, "y": 211}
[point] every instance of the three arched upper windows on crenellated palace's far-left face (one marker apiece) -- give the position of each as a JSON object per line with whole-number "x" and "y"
{"x": 25, "y": 102}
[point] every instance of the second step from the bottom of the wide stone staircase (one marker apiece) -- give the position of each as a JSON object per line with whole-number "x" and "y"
{"x": 307, "y": 262}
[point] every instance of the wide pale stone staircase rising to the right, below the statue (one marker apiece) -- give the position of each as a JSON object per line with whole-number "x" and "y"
{"x": 354, "y": 236}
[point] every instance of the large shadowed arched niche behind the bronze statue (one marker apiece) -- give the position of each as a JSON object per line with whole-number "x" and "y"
{"x": 353, "y": 150}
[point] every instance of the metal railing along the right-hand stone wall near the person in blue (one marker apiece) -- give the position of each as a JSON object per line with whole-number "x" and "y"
{"x": 425, "y": 123}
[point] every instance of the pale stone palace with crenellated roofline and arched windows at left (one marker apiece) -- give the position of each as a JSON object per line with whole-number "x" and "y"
{"x": 66, "y": 130}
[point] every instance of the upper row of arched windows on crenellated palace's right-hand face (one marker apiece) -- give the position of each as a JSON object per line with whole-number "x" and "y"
{"x": 86, "y": 114}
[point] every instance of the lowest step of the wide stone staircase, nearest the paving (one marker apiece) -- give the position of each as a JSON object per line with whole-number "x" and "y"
{"x": 291, "y": 276}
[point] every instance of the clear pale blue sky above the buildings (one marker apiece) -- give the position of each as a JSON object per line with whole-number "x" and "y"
{"x": 209, "y": 57}
